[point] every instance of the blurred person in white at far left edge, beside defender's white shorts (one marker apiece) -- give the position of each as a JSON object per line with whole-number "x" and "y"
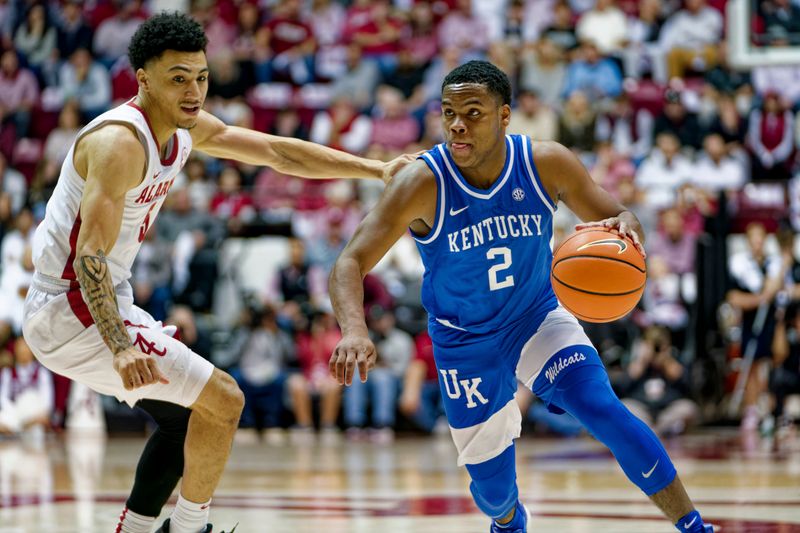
{"x": 26, "y": 394}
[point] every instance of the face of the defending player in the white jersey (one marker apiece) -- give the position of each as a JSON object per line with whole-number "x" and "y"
{"x": 177, "y": 83}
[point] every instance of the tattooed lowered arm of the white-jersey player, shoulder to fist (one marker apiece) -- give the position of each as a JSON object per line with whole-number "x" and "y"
{"x": 112, "y": 160}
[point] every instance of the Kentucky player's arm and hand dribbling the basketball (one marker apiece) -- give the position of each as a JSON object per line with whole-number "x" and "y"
{"x": 566, "y": 179}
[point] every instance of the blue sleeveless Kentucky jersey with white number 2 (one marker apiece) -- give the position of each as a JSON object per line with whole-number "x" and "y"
{"x": 488, "y": 256}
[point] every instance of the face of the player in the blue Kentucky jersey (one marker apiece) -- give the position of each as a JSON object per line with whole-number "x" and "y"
{"x": 474, "y": 123}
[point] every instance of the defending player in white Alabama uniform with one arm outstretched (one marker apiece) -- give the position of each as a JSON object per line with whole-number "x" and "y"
{"x": 80, "y": 319}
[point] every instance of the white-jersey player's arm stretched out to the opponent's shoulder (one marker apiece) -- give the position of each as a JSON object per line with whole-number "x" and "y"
{"x": 287, "y": 155}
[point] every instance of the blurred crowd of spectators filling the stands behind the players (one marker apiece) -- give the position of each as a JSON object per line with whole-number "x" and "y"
{"x": 641, "y": 90}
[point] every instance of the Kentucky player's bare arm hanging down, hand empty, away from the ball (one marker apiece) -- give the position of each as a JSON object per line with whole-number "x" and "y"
{"x": 409, "y": 197}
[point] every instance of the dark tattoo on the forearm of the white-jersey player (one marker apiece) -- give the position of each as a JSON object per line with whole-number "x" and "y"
{"x": 98, "y": 292}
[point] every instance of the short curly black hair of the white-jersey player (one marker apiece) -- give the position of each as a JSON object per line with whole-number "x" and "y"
{"x": 162, "y": 32}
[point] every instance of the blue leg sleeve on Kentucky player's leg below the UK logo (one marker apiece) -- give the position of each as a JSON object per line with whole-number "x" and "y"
{"x": 494, "y": 484}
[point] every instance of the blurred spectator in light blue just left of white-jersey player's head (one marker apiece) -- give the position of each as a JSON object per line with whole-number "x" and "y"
{"x": 87, "y": 82}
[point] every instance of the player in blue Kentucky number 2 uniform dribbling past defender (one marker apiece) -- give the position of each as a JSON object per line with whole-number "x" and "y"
{"x": 480, "y": 207}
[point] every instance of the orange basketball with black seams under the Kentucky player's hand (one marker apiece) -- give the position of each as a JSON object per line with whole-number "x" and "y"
{"x": 598, "y": 276}
